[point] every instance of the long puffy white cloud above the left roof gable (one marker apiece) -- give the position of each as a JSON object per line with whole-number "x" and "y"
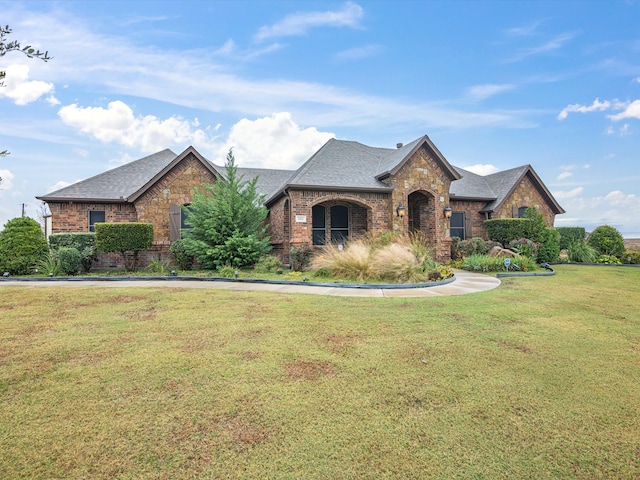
{"x": 117, "y": 124}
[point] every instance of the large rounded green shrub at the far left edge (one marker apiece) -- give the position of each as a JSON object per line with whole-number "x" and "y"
{"x": 22, "y": 245}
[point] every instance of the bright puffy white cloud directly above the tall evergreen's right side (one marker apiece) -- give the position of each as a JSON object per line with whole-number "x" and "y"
{"x": 272, "y": 142}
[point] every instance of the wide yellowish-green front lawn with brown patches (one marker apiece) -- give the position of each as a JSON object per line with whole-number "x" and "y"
{"x": 539, "y": 378}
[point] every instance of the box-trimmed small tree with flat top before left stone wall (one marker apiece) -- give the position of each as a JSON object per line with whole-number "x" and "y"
{"x": 123, "y": 238}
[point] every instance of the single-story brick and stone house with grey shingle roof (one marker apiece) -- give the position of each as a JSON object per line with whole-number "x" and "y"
{"x": 344, "y": 190}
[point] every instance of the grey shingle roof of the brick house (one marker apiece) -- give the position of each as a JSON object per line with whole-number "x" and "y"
{"x": 339, "y": 164}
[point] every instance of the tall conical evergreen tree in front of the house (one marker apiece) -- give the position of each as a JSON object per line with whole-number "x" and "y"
{"x": 228, "y": 221}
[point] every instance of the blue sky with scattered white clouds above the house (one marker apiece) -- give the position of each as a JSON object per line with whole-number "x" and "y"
{"x": 495, "y": 85}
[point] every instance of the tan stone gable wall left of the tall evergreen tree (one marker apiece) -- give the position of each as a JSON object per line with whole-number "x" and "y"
{"x": 175, "y": 187}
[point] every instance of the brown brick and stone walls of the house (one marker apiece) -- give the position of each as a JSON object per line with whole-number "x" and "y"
{"x": 421, "y": 184}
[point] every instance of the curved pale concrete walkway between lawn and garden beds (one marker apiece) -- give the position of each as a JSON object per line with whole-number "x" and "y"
{"x": 465, "y": 282}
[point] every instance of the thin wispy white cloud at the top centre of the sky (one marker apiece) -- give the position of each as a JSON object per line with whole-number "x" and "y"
{"x": 300, "y": 23}
